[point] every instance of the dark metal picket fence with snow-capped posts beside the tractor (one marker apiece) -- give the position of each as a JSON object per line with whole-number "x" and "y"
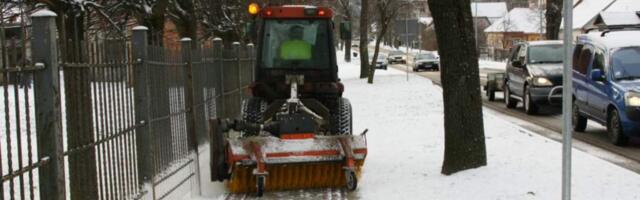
{"x": 113, "y": 117}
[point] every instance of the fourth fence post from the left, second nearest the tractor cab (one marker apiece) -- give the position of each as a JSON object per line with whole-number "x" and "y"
{"x": 219, "y": 63}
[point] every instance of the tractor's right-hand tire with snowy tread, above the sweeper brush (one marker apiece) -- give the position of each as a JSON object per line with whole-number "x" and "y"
{"x": 341, "y": 122}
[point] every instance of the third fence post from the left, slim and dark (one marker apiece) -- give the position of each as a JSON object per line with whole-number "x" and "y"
{"x": 190, "y": 104}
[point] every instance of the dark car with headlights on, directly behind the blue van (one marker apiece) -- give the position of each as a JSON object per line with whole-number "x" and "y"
{"x": 534, "y": 75}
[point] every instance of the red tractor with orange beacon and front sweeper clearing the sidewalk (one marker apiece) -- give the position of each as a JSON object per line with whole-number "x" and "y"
{"x": 295, "y": 132}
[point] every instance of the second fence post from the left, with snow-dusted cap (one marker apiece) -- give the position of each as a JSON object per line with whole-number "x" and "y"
{"x": 142, "y": 105}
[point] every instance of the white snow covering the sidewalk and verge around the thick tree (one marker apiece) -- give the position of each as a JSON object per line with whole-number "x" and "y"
{"x": 405, "y": 142}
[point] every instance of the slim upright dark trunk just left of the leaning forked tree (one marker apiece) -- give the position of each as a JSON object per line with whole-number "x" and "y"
{"x": 364, "y": 50}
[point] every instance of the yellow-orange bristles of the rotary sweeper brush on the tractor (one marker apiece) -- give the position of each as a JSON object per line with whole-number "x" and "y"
{"x": 291, "y": 176}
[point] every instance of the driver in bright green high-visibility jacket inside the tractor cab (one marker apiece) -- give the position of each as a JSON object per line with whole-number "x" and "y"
{"x": 295, "y": 48}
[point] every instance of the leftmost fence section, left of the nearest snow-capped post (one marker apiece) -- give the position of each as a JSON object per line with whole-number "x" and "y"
{"x": 17, "y": 116}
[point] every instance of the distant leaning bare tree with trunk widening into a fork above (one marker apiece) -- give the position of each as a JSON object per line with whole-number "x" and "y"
{"x": 387, "y": 10}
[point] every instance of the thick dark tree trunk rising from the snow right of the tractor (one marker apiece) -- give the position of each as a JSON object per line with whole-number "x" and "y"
{"x": 464, "y": 129}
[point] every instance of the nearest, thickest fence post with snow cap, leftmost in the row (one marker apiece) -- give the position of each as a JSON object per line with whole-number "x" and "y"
{"x": 47, "y": 105}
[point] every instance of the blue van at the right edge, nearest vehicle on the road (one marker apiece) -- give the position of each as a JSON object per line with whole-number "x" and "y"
{"x": 606, "y": 83}
